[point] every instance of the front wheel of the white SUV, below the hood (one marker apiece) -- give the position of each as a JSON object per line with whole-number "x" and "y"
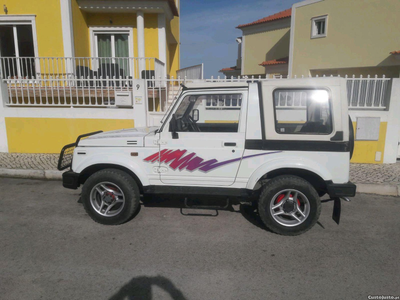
{"x": 110, "y": 187}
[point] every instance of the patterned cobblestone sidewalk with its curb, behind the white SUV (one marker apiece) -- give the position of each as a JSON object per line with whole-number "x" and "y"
{"x": 374, "y": 179}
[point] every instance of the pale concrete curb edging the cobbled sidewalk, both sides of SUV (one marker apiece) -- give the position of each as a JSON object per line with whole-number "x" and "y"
{"x": 365, "y": 188}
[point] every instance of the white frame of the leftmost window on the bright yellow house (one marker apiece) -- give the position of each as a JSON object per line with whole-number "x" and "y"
{"x": 14, "y": 20}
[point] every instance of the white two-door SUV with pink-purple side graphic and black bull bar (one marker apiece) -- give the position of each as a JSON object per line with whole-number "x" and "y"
{"x": 287, "y": 142}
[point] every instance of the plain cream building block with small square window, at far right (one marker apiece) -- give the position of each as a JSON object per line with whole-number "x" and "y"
{"x": 341, "y": 37}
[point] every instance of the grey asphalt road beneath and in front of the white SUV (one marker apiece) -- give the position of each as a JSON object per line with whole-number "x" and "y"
{"x": 50, "y": 249}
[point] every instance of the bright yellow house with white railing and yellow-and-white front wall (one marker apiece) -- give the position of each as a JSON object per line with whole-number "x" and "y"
{"x": 70, "y": 67}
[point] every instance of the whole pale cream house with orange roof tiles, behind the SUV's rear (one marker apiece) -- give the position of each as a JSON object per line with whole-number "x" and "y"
{"x": 324, "y": 37}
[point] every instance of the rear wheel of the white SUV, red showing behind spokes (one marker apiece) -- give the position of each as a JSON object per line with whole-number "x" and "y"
{"x": 278, "y": 197}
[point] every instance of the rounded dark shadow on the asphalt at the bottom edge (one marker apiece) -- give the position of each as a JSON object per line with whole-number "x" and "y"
{"x": 141, "y": 288}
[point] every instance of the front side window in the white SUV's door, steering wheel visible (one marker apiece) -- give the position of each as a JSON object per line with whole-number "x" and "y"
{"x": 209, "y": 113}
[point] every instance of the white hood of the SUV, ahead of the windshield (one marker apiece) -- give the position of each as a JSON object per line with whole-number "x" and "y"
{"x": 119, "y": 138}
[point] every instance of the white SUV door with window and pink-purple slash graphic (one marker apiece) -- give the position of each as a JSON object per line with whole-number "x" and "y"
{"x": 207, "y": 147}
